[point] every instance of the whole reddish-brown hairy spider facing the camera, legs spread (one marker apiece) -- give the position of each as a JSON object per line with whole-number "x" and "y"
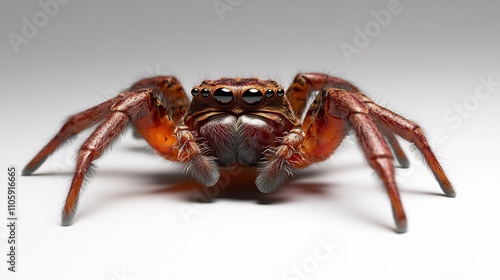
{"x": 247, "y": 122}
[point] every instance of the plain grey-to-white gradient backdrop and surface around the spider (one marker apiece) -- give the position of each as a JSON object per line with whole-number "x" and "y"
{"x": 426, "y": 61}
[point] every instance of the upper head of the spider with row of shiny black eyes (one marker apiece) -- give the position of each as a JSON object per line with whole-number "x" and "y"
{"x": 238, "y": 96}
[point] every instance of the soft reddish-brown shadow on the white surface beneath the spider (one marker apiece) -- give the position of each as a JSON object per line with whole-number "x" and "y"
{"x": 177, "y": 185}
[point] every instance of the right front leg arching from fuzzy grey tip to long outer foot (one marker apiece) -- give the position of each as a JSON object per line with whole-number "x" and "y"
{"x": 331, "y": 116}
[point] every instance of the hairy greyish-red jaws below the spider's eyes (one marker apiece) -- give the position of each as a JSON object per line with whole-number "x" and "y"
{"x": 238, "y": 139}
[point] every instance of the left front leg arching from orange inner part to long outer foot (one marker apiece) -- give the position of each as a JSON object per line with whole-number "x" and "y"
{"x": 149, "y": 117}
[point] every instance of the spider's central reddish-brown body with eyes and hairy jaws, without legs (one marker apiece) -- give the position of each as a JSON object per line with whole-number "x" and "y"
{"x": 239, "y": 118}
